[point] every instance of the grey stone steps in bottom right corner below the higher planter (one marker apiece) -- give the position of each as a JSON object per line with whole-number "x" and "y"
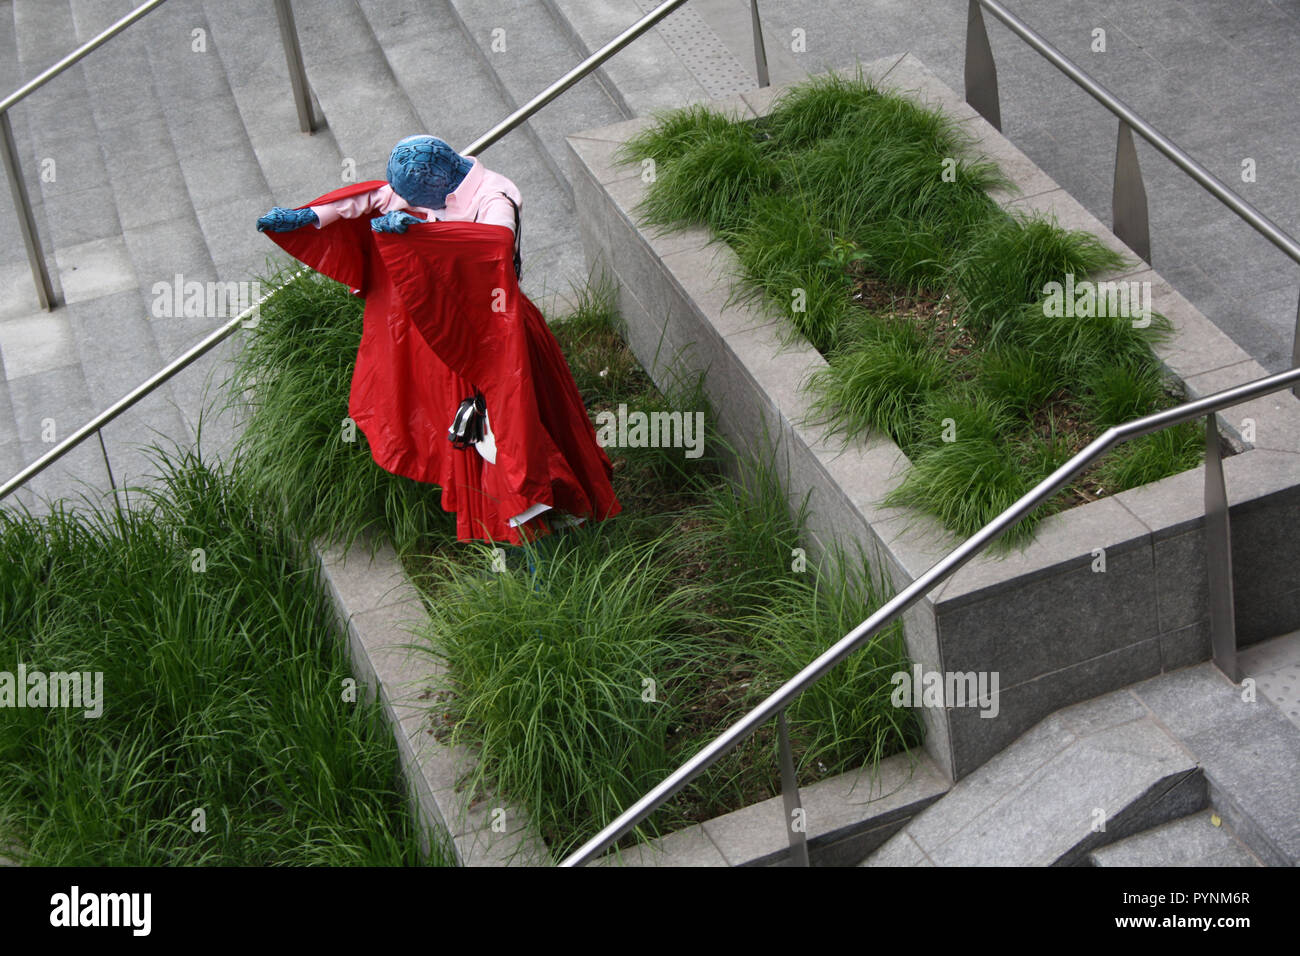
{"x": 1181, "y": 771}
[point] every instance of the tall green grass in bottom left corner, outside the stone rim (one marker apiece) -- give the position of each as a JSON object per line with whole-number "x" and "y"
{"x": 228, "y": 733}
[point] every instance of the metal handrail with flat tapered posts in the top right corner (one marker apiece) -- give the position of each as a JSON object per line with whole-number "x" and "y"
{"x": 1130, "y": 198}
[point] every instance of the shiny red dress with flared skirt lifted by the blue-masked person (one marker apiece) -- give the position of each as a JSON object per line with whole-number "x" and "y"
{"x": 445, "y": 314}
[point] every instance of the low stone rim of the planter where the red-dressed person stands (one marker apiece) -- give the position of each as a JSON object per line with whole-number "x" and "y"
{"x": 848, "y": 816}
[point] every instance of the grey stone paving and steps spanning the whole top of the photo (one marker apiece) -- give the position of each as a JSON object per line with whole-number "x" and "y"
{"x": 170, "y": 141}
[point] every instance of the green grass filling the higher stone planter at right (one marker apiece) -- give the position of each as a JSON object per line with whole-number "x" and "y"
{"x": 878, "y": 241}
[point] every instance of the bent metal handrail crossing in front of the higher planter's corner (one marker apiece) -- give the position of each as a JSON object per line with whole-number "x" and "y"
{"x": 781, "y": 699}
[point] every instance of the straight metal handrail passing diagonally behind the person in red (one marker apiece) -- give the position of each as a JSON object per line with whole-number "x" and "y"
{"x": 479, "y": 145}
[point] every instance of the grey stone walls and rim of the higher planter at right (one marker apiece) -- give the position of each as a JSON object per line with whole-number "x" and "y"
{"x": 1055, "y": 630}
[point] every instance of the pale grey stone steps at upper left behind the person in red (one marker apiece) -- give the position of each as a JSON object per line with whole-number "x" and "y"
{"x": 171, "y": 140}
